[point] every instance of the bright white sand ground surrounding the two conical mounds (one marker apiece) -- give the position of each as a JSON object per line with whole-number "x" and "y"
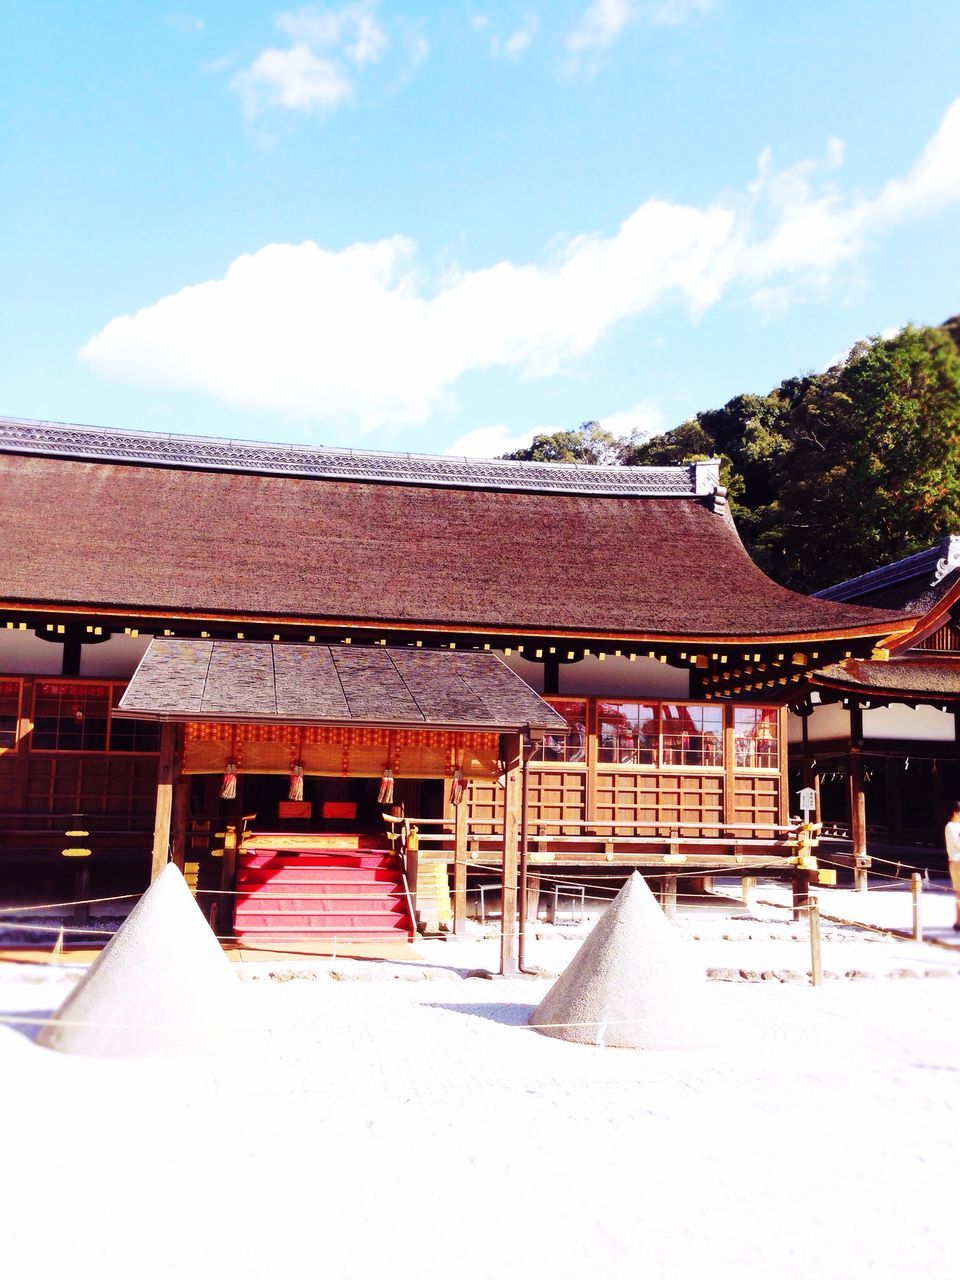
{"x": 388, "y": 1128}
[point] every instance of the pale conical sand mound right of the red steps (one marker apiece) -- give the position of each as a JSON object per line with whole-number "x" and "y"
{"x": 632, "y": 985}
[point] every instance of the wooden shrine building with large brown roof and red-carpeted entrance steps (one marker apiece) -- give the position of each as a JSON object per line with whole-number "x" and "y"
{"x": 580, "y": 661}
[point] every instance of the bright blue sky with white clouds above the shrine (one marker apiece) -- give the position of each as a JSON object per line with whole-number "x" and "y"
{"x": 444, "y": 227}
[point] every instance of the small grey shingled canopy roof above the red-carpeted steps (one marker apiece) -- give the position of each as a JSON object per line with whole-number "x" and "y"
{"x": 353, "y": 685}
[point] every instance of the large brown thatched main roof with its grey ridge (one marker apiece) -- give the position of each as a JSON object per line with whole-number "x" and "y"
{"x": 167, "y": 528}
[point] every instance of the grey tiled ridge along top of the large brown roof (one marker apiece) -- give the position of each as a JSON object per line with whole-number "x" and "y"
{"x": 321, "y": 463}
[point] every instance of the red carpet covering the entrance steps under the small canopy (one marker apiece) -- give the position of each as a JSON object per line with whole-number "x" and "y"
{"x": 349, "y": 893}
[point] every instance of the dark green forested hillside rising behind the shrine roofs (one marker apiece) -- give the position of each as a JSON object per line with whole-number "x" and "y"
{"x": 830, "y": 474}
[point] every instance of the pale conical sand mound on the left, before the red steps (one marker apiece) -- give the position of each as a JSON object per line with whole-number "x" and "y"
{"x": 162, "y": 986}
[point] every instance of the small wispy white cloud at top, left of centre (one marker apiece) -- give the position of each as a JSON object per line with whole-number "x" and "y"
{"x": 317, "y": 72}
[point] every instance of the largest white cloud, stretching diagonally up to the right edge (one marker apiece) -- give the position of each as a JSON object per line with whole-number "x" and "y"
{"x": 360, "y": 337}
